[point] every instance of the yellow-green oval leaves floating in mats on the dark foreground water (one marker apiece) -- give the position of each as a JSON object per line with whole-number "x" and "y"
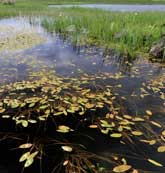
{"x": 51, "y": 96}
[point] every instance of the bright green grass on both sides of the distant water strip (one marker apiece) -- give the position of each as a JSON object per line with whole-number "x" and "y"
{"x": 131, "y": 32}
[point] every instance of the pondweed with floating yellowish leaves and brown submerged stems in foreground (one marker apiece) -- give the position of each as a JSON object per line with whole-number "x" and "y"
{"x": 46, "y": 98}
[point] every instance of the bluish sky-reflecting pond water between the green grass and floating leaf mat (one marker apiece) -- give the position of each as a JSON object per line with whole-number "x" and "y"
{"x": 66, "y": 60}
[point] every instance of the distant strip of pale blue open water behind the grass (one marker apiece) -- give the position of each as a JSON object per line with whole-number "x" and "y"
{"x": 115, "y": 7}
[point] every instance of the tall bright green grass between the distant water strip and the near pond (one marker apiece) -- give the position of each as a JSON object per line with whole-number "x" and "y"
{"x": 131, "y": 31}
